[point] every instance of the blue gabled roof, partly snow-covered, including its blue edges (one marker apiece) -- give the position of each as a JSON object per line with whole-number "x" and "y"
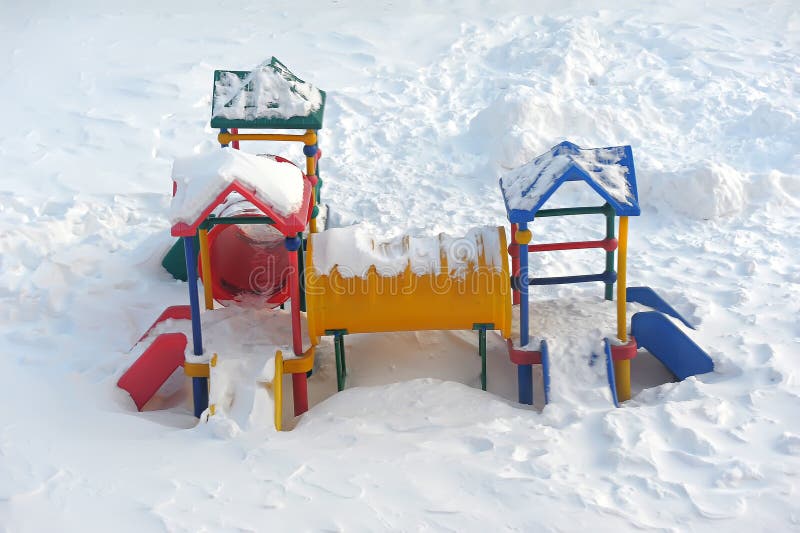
{"x": 609, "y": 171}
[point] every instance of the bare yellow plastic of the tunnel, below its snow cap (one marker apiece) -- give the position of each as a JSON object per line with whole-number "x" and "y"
{"x": 409, "y": 301}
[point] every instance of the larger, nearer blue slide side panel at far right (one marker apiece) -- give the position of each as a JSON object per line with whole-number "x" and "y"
{"x": 659, "y": 336}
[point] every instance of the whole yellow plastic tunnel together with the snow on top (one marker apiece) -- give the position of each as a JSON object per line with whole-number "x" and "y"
{"x": 356, "y": 284}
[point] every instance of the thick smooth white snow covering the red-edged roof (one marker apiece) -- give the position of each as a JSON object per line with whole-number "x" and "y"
{"x": 201, "y": 179}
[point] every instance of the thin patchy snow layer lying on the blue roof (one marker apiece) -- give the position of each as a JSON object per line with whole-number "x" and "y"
{"x": 525, "y": 186}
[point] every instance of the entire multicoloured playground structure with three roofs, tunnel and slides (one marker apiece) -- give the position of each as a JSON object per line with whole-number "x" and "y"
{"x": 248, "y": 228}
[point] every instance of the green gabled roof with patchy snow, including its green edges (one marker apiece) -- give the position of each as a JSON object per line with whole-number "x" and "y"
{"x": 239, "y": 106}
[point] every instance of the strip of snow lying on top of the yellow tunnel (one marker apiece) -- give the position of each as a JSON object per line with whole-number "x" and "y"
{"x": 352, "y": 251}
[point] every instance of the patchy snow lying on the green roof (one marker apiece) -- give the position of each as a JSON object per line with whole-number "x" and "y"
{"x": 269, "y": 91}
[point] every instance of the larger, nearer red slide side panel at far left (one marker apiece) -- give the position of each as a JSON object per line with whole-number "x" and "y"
{"x": 153, "y": 367}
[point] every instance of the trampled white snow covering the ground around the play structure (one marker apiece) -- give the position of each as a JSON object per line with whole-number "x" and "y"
{"x": 428, "y": 104}
